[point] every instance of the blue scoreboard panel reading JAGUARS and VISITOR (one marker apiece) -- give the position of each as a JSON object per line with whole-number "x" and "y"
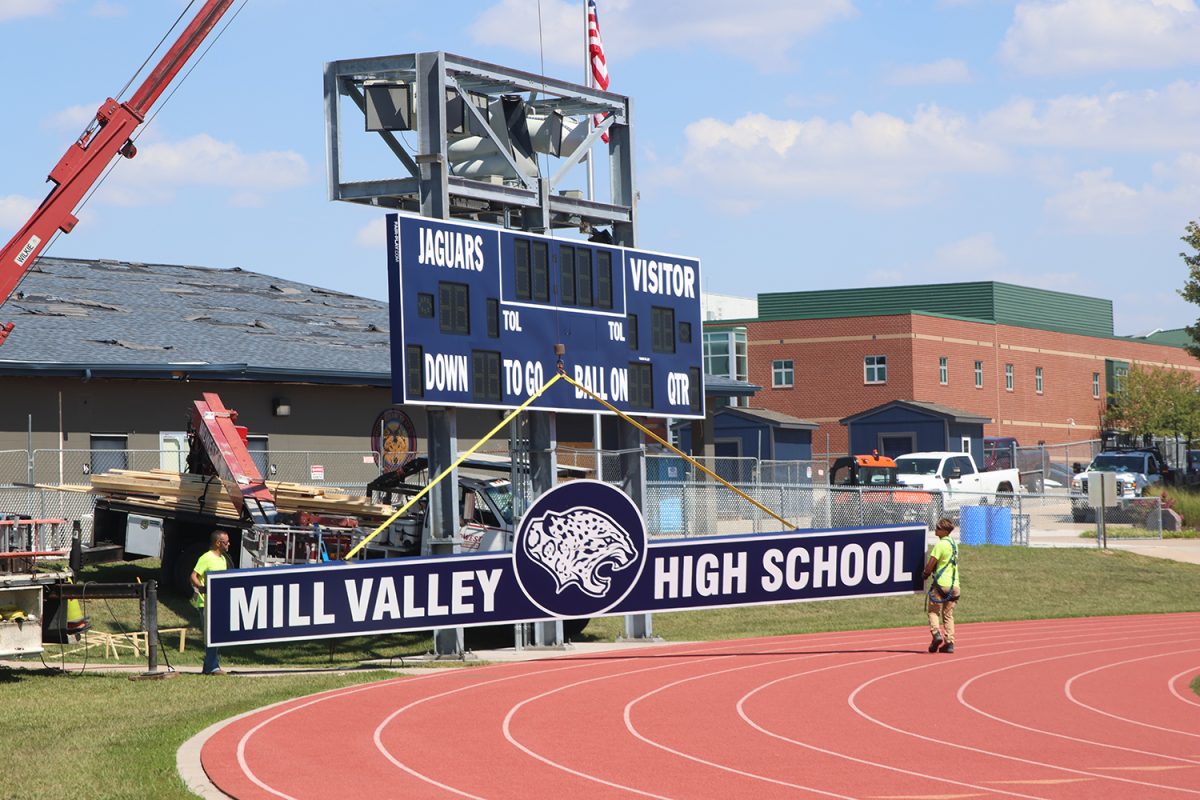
{"x": 477, "y": 312}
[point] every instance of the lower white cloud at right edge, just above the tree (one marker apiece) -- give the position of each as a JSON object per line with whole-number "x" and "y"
{"x": 1095, "y": 202}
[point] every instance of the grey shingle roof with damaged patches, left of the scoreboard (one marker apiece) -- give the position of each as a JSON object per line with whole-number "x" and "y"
{"x": 110, "y": 315}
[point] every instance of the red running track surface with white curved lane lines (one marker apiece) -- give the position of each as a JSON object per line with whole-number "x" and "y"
{"x": 1077, "y": 709}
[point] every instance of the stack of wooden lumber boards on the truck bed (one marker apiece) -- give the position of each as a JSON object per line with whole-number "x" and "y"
{"x": 163, "y": 491}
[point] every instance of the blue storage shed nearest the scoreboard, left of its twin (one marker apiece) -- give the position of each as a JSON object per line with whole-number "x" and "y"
{"x": 757, "y": 434}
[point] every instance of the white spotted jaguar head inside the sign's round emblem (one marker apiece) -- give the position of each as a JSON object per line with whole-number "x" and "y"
{"x": 580, "y": 546}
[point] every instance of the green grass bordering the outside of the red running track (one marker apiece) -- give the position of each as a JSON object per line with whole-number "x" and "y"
{"x": 93, "y": 736}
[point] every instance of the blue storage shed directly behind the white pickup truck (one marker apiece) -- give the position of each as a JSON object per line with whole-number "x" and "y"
{"x": 915, "y": 426}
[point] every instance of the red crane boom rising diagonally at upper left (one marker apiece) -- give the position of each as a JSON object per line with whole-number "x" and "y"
{"x": 86, "y": 160}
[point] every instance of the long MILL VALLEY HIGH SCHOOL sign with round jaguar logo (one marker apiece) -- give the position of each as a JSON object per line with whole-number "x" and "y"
{"x": 581, "y": 551}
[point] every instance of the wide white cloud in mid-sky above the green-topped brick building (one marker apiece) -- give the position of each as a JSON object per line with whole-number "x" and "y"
{"x": 871, "y": 159}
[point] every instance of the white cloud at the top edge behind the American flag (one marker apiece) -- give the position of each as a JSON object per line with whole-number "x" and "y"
{"x": 760, "y": 32}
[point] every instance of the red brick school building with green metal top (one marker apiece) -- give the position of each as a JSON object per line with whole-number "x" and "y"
{"x": 1039, "y": 364}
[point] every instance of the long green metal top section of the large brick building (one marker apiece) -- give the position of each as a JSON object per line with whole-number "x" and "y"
{"x": 983, "y": 300}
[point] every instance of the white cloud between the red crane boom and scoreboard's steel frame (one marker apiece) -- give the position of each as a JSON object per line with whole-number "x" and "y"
{"x": 201, "y": 160}
